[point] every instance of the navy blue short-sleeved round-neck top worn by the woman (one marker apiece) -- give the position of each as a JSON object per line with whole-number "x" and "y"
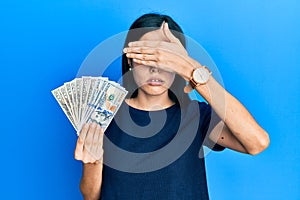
{"x": 156, "y": 154}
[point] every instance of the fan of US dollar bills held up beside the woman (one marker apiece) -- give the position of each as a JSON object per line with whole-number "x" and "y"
{"x": 90, "y": 99}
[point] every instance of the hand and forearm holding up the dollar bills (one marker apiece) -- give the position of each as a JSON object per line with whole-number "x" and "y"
{"x": 89, "y": 150}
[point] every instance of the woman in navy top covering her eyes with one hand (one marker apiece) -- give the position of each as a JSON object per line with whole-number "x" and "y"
{"x": 155, "y": 70}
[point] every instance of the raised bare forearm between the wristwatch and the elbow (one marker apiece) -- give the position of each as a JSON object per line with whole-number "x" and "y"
{"x": 236, "y": 117}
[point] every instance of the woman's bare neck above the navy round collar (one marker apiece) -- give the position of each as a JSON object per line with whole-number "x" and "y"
{"x": 150, "y": 102}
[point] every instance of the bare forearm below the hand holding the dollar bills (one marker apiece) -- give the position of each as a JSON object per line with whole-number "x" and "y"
{"x": 90, "y": 185}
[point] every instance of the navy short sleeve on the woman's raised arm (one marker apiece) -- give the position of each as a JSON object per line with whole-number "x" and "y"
{"x": 208, "y": 120}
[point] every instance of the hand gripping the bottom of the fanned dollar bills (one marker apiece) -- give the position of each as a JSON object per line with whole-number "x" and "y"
{"x": 89, "y": 147}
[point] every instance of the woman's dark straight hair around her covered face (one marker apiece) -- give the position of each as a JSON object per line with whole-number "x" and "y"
{"x": 144, "y": 24}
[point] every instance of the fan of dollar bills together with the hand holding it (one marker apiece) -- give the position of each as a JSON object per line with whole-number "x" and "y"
{"x": 90, "y": 104}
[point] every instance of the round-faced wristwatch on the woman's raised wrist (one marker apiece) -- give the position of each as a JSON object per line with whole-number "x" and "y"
{"x": 200, "y": 76}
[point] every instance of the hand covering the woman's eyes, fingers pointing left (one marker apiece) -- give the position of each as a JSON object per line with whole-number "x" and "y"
{"x": 167, "y": 55}
